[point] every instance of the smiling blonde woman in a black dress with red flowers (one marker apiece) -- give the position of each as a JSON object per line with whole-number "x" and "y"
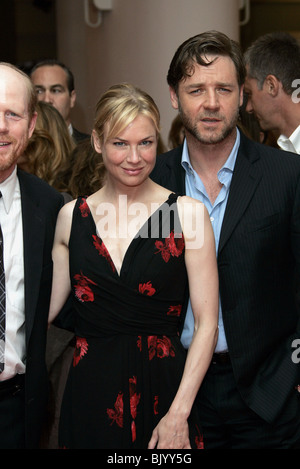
{"x": 128, "y": 253}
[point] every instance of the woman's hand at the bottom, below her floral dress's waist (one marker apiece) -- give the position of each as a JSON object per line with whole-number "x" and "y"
{"x": 170, "y": 433}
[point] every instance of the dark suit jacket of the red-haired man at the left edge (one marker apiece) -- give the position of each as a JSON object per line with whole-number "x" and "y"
{"x": 40, "y": 206}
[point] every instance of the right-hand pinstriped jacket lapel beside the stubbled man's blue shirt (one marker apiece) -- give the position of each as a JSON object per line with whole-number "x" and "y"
{"x": 246, "y": 176}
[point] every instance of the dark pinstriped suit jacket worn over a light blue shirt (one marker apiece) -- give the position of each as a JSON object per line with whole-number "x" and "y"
{"x": 259, "y": 251}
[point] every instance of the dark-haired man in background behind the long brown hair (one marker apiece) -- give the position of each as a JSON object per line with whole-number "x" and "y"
{"x": 54, "y": 84}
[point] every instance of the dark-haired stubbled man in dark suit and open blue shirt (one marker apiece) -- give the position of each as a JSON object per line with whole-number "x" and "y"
{"x": 250, "y": 395}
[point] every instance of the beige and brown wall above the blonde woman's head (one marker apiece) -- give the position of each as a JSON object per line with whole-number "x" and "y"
{"x": 135, "y": 42}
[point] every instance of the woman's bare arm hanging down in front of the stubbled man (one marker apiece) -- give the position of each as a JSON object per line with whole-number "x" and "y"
{"x": 200, "y": 256}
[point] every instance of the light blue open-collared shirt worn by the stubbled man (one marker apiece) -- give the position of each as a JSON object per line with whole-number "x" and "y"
{"x": 196, "y": 189}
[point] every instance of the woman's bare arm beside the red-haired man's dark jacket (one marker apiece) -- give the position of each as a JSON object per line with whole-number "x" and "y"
{"x": 61, "y": 287}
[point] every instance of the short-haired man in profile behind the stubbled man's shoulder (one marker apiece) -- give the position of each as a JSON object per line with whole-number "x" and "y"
{"x": 273, "y": 87}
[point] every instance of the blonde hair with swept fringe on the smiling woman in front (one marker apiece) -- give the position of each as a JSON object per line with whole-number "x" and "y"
{"x": 119, "y": 106}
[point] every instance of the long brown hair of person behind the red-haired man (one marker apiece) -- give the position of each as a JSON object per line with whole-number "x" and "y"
{"x": 49, "y": 148}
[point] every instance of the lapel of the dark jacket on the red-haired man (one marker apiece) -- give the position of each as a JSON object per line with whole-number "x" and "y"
{"x": 33, "y": 235}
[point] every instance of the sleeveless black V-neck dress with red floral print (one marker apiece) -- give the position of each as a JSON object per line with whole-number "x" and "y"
{"x": 128, "y": 359}
